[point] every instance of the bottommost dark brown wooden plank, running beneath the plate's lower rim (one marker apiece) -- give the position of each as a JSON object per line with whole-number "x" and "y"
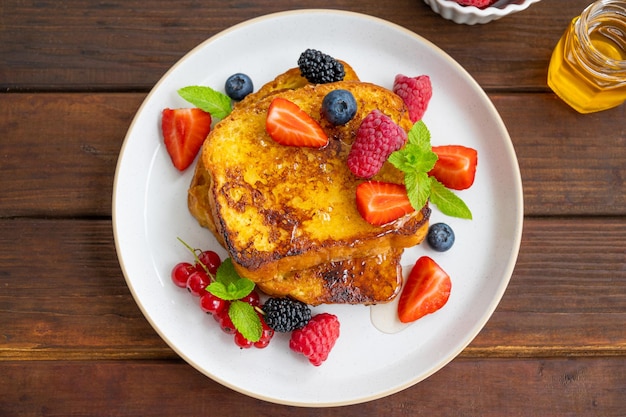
{"x": 545, "y": 387}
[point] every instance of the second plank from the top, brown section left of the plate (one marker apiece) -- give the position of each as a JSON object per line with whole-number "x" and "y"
{"x": 62, "y": 162}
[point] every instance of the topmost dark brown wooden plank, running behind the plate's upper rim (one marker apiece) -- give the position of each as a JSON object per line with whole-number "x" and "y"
{"x": 130, "y": 45}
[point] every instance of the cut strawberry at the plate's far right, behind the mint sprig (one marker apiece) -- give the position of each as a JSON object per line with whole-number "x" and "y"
{"x": 456, "y": 166}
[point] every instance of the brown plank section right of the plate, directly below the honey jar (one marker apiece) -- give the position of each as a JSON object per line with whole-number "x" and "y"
{"x": 563, "y": 158}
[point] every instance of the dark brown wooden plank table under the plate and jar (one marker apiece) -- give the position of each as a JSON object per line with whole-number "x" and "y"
{"x": 74, "y": 343}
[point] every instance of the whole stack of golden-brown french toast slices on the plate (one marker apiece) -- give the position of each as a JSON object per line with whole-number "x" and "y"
{"x": 287, "y": 215}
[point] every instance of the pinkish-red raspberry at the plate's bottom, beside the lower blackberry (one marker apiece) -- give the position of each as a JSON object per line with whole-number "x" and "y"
{"x": 317, "y": 338}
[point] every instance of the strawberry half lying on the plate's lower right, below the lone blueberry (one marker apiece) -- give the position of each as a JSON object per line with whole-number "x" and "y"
{"x": 425, "y": 291}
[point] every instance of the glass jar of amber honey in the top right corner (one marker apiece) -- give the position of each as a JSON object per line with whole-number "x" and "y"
{"x": 588, "y": 65}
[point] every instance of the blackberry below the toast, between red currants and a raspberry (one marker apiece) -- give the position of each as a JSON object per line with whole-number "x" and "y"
{"x": 285, "y": 315}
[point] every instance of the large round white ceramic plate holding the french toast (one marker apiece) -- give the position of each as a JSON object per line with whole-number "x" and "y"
{"x": 150, "y": 212}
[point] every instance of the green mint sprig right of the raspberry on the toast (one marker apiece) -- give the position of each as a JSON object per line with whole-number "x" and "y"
{"x": 416, "y": 160}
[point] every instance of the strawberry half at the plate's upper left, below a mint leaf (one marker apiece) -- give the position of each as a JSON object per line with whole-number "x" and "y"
{"x": 184, "y": 132}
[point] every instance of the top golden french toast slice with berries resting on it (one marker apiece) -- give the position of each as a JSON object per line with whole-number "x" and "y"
{"x": 282, "y": 210}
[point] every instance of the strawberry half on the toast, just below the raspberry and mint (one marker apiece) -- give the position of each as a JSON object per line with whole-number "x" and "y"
{"x": 380, "y": 203}
